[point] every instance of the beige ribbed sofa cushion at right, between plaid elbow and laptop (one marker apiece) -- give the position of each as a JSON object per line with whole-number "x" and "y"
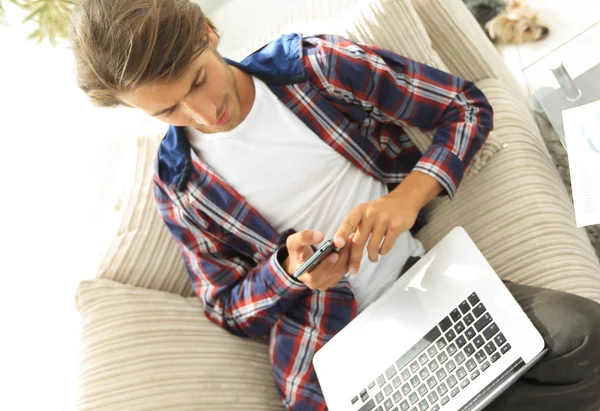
{"x": 517, "y": 209}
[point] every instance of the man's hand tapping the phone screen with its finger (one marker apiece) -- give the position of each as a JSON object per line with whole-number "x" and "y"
{"x": 379, "y": 222}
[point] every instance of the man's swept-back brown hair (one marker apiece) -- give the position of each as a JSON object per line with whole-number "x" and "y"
{"x": 122, "y": 44}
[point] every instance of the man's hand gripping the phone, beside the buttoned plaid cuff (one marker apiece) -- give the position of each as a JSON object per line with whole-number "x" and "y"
{"x": 327, "y": 274}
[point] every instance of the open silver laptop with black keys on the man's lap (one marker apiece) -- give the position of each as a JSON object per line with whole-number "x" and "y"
{"x": 448, "y": 335}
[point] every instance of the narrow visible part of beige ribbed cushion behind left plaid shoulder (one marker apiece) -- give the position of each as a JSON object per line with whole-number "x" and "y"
{"x": 144, "y": 253}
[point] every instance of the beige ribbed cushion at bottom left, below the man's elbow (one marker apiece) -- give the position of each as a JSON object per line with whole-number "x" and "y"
{"x": 151, "y": 350}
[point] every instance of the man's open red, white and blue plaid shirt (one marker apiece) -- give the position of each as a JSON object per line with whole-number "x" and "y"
{"x": 357, "y": 98}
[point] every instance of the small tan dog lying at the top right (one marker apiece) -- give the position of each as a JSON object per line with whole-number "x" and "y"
{"x": 508, "y": 21}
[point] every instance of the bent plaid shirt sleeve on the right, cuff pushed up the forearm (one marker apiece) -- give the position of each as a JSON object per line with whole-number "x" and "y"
{"x": 398, "y": 90}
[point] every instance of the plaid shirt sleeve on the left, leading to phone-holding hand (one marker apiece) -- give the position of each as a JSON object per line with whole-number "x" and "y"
{"x": 239, "y": 295}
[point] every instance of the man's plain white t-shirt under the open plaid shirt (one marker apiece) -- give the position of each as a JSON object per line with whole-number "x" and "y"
{"x": 295, "y": 180}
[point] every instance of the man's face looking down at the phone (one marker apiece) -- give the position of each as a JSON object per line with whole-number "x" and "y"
{"x": 205, "y": 96}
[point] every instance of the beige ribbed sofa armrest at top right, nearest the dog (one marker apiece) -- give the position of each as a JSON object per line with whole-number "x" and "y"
{"x": 461, "y": 43}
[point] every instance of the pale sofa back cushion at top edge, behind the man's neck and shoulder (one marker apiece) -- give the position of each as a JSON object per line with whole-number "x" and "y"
{"x": 391, "y": 24}
